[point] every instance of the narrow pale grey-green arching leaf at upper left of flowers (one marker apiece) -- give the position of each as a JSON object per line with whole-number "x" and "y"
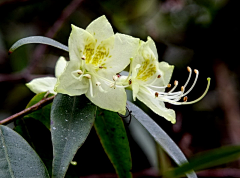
{"x": 39, "y": 40}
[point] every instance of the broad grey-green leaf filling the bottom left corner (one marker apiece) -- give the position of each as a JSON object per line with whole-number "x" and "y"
{"x": 17, "y": 158}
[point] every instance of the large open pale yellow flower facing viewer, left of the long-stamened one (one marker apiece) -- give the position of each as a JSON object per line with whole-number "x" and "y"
{"x": 96, "y": 56}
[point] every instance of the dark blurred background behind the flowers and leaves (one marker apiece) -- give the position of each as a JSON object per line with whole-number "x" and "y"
{"x": 202, "y": 34}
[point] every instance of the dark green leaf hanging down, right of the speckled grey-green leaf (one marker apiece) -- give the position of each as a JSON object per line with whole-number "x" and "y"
{"x": 112, "y": 134}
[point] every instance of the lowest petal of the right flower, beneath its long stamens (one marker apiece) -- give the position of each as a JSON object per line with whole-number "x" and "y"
{"x": 157, "y": 106}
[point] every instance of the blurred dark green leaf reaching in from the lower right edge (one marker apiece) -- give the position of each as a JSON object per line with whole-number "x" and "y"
{"x": 208, "y": 159}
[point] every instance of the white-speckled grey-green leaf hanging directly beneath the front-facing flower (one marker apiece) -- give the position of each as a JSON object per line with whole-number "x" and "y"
{"x": 72, "y": 118}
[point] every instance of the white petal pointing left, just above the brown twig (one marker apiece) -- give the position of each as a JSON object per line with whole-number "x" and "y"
{"x": 43, "y": 84}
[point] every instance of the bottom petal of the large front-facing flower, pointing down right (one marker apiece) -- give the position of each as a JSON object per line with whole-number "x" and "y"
{"x": 114, "y": 100}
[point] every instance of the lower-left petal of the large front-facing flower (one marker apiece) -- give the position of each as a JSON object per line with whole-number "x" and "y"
{"x": 67, "y": 84}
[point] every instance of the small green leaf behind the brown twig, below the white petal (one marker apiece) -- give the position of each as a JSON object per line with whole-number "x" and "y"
{"x": 43, "y": 114}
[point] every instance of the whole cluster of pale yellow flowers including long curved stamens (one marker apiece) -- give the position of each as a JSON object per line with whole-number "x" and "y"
{"x": 97, "y": 56}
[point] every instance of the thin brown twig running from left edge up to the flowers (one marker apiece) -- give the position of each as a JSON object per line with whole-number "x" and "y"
{"x": 26, "y": 111}
